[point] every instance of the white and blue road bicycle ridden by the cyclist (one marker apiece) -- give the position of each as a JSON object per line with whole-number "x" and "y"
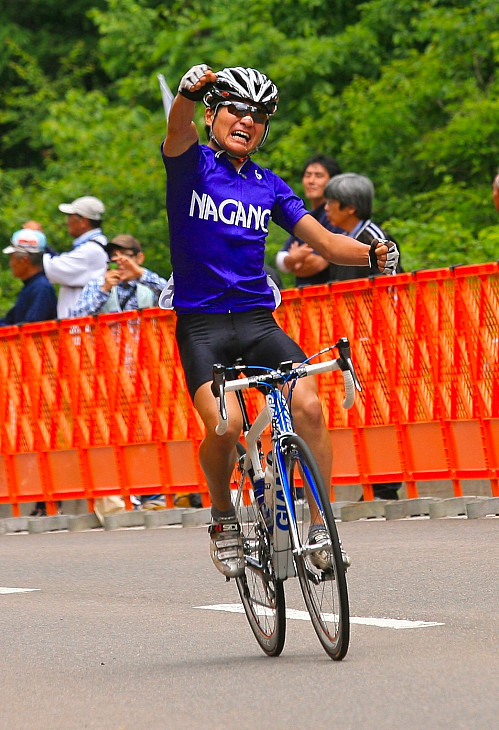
{"x": 274, "y": 517}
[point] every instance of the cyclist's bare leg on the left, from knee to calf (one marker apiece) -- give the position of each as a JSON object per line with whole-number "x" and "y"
{"x": 217, "y": 454}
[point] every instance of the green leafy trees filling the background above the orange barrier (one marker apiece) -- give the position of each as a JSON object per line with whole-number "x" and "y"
{"x": 405, "y": 92}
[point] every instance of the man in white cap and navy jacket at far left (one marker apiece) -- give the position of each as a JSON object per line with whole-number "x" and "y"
{"x": 37, "y": 300}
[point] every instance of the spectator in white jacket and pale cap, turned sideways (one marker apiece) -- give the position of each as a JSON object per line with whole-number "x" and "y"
{"x": 88, "y": 257}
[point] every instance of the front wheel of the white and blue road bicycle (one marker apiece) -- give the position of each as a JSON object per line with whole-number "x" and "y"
{"x": 325, "y": 591}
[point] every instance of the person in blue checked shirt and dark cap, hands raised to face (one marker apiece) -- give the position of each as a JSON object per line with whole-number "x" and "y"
{"x": 128, "y": 286}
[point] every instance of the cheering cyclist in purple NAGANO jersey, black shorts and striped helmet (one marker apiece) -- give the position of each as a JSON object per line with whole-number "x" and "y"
{"x": 219, "y": 203}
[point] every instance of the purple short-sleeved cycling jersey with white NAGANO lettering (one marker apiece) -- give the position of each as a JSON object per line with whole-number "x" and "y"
{"x": 218, "y": 220}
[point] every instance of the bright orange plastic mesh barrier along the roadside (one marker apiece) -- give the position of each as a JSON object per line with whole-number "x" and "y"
{"x": 98, "y": 405}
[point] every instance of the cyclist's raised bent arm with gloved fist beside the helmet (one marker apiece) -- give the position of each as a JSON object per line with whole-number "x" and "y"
{"x": 182, "y": 132}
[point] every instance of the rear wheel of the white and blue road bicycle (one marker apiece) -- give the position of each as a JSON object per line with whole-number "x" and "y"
{"x": 262, "y": 595}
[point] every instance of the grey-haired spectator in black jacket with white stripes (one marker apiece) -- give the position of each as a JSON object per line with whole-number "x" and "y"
{"x": 349, "y": 201}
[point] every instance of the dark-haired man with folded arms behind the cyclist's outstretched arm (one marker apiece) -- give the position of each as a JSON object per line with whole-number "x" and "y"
{"x": 295, "y": 256}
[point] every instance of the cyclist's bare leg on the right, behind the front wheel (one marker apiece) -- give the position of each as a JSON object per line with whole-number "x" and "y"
{"x": 309, "y": 423}
